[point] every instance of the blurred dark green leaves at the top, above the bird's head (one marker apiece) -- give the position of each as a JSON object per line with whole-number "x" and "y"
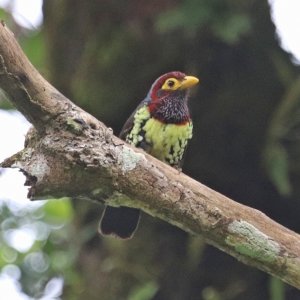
{"x": 190, "y": 15}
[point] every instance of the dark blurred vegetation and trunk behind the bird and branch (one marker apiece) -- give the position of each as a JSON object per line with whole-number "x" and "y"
{"x": 104, "y": 55}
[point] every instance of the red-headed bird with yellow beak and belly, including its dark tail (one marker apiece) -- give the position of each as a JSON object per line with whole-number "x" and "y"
{"x": 162, "y": 126}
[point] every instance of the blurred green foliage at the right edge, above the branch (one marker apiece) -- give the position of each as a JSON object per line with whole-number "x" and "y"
{"x": 282, "y": 151}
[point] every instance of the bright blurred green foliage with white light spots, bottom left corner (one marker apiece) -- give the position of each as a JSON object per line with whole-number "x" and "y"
{"x": 36, "y": 241}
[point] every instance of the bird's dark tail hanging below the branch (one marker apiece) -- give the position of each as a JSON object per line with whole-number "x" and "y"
{"x": 121, "y": 222}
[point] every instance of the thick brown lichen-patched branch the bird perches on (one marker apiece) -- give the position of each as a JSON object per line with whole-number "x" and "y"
{"x": 70, "y": 153}
